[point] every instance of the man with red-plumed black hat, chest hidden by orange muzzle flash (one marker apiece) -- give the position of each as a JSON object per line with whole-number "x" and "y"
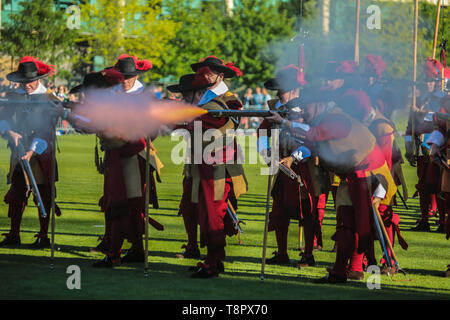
{"x": 124, "y": 178}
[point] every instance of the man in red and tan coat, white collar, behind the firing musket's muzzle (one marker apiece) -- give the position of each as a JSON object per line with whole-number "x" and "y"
{"x": 216, "y": 177}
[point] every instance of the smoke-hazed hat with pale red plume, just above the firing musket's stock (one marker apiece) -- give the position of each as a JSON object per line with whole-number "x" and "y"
{"x": 287, "y": 79}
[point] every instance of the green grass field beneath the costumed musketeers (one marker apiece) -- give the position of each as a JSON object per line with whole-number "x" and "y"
{"x": 26, "y": 274}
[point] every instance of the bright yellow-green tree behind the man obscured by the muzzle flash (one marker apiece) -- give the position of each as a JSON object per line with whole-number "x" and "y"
{"x": 113, "y": 27}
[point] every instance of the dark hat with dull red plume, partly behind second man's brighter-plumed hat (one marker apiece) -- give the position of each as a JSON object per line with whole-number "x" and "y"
{"x": 98, "y": 80}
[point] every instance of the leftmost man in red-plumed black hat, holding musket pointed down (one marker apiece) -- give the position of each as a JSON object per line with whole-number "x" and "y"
{"x": 33, "y": 126}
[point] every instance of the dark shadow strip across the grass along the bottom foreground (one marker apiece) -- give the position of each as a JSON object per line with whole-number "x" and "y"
{"x": 172, "y": 281}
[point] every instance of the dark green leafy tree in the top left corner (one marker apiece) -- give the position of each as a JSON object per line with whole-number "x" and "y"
{"x": 39, "y": 30}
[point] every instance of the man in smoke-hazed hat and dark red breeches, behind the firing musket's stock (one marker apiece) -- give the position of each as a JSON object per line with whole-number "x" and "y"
{"x": 290, "y": 199}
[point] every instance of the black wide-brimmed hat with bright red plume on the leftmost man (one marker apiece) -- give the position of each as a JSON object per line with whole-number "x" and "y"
{"x": 30, "y": 69}
